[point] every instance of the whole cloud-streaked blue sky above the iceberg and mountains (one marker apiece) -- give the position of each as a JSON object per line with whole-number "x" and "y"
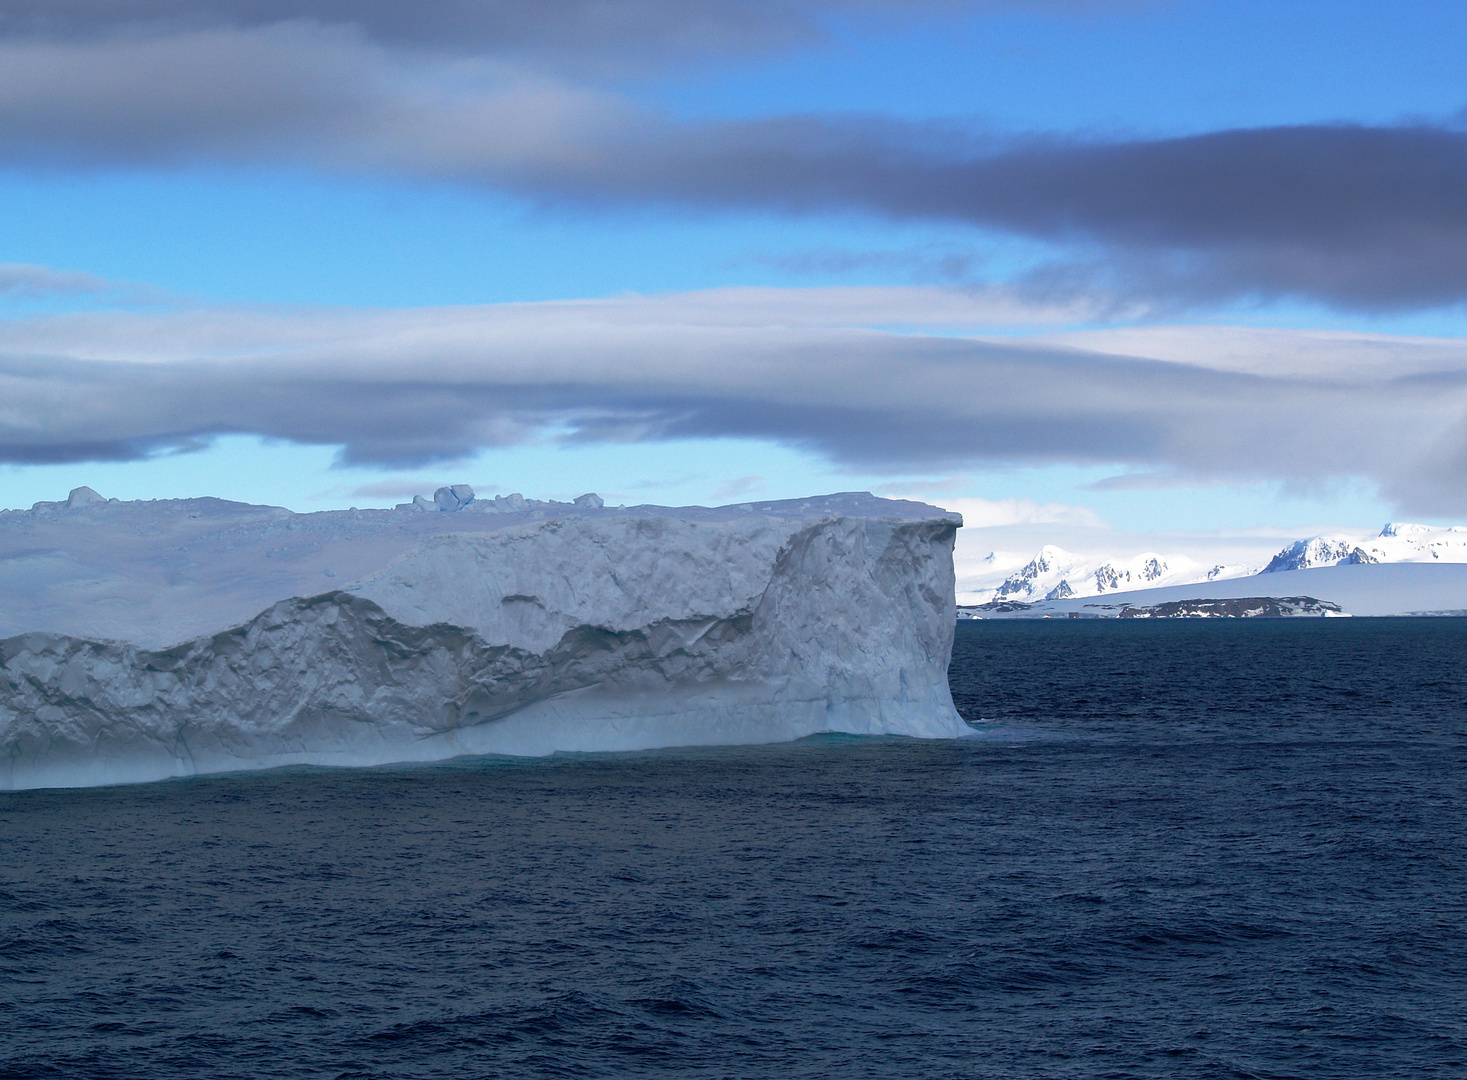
{"x": 1111, "y": 274}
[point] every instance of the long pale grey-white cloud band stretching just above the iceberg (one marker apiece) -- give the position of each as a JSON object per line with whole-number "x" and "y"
{"x": 800, "y": 368}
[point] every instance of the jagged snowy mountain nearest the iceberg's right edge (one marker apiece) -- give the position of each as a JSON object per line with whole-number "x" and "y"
{"x": 1056, "y": 574}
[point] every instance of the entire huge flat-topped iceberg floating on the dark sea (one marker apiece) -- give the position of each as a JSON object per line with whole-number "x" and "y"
{"x": 161, "y": 639}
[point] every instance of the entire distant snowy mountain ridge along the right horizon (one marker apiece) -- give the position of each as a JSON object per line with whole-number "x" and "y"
{"x": 1056, "y": 574}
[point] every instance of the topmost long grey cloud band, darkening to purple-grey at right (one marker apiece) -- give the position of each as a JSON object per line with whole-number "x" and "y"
{"x": 502, "y": 96}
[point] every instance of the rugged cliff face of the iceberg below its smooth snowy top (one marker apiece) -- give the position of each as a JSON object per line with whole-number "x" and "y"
{"x": 580, "y": 633}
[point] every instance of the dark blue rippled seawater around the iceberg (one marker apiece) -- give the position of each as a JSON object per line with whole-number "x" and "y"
{"x": 1176, "y": 850}
